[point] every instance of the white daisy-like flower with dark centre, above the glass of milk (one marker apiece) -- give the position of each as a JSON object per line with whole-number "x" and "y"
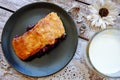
{"x": 103, "y": 14}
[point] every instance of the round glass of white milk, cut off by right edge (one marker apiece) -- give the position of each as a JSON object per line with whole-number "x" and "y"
{"x": 103, "y": 52}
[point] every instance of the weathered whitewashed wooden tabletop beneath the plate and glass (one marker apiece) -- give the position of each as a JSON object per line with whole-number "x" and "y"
{"x": 77, "y": 68}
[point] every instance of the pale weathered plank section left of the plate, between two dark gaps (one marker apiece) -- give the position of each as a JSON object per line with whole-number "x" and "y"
{"x": 4, "y": 15}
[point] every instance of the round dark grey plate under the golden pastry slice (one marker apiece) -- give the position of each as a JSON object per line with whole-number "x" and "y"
{"x": 56, "y": 59}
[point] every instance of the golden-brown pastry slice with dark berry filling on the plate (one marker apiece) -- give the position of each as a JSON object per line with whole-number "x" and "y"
{"x": 45, "y": 33}
